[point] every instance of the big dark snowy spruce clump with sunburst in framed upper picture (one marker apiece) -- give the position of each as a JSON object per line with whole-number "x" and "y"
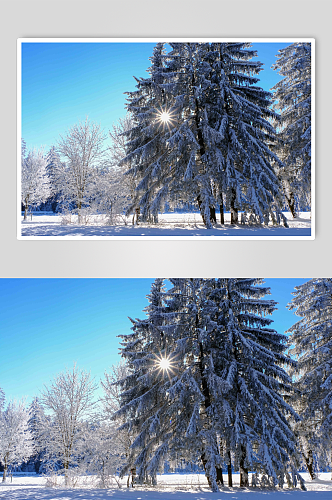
{"x": 202, "y": 133}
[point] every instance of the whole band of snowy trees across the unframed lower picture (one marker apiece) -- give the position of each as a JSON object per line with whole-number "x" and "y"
{"x": 205, "y": 379}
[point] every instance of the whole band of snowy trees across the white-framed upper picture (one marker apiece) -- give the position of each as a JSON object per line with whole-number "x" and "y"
{"x": 199, "y": 130}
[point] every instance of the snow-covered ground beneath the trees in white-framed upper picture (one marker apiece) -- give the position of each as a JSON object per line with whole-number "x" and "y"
{"x": 169, "y": 225}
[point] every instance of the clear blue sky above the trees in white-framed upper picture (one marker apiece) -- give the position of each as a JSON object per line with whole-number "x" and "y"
{"x": 63, "y": 83}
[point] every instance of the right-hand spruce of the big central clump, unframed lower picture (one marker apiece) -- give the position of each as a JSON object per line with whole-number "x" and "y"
{"x": 253, "y": 383}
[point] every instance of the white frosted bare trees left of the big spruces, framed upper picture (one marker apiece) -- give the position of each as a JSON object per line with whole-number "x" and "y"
{"x": 78, "y": 176}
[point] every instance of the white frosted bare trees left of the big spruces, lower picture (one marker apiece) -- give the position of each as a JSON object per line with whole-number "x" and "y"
{"x": 65, "y": 431}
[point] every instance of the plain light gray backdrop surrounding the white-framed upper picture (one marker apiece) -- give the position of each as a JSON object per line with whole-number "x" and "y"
{"x": 165, "y": 18}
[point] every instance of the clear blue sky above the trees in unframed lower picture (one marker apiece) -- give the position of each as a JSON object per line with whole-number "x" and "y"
{"x": 48, "y": 324}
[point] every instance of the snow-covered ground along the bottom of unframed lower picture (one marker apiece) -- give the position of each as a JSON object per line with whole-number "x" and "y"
{"x": 170, "y": 487}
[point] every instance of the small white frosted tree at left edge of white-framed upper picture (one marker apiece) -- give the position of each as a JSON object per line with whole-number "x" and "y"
{"x": 35, "y": 184}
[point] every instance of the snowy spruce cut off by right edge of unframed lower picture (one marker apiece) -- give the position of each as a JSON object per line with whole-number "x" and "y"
{"x": 311, "y": 344}
